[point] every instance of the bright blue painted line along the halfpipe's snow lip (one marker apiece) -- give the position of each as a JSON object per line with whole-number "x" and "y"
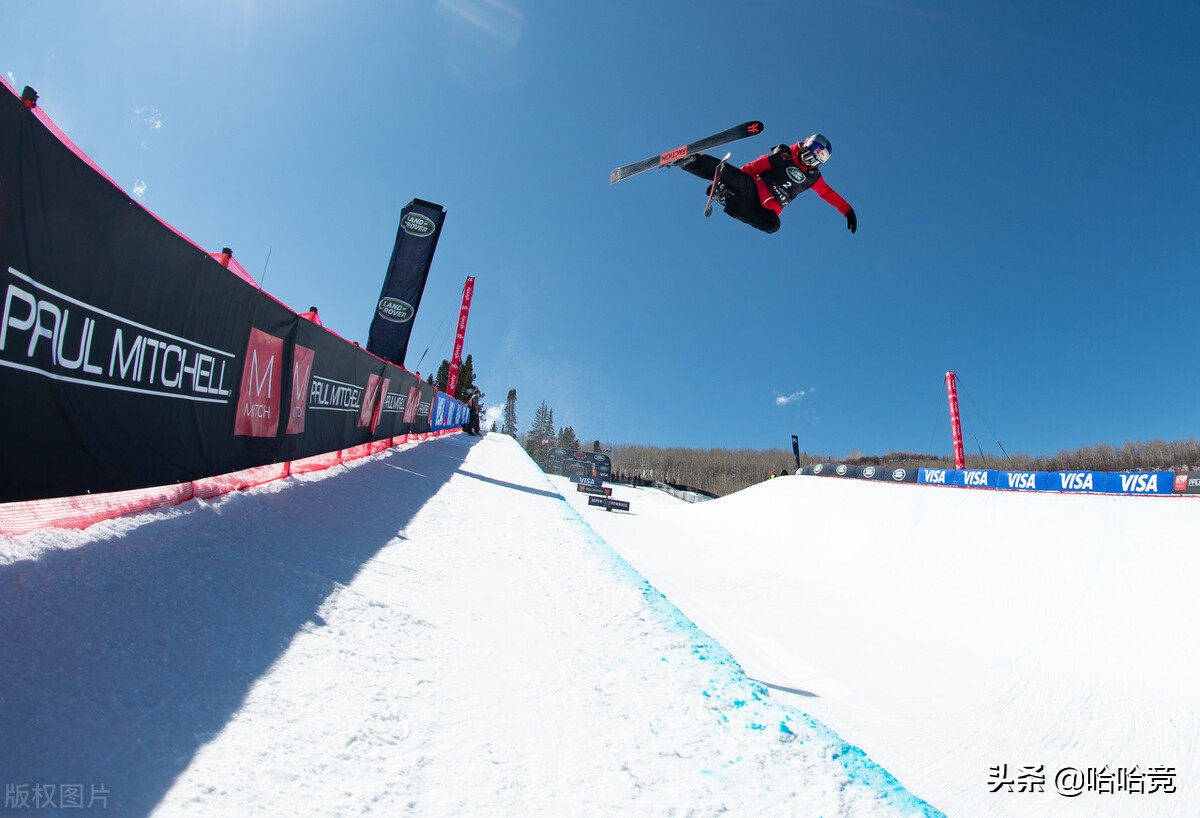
{"x": 737, "y": 691}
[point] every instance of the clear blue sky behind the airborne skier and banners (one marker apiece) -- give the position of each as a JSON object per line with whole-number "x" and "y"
{"x": 1024, "y": 177}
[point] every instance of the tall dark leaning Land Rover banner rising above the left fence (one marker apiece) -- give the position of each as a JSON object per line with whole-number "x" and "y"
{"x": 421, "y": 227}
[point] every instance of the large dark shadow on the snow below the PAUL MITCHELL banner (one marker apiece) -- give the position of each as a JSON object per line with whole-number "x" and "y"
{"x": 123, "y": 658}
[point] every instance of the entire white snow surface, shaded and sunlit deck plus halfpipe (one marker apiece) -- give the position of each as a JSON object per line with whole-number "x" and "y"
{"x": 437, "y": 633}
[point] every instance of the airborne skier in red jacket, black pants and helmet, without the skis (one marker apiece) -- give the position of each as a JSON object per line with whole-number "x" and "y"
{"x": 758, "y": 193}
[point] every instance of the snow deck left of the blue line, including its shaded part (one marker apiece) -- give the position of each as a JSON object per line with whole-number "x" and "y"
{"x": 431, "y": 633}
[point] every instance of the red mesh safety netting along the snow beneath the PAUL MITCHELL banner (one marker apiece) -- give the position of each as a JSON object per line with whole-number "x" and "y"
{"x": 77, "y": 513}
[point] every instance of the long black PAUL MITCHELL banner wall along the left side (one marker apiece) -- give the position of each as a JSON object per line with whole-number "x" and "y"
{"x": 129, "y": 358}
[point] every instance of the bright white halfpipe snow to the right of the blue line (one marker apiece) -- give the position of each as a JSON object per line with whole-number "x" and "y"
{"x": 952, "y": 631}
